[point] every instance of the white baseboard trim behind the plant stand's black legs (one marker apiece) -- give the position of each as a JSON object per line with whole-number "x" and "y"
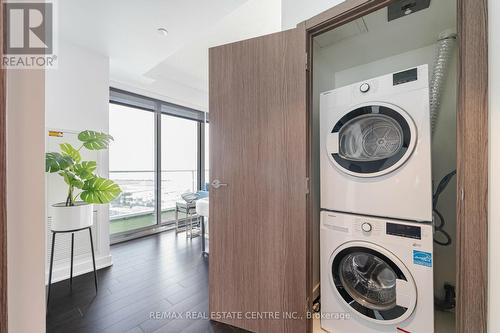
{"x": 80, "y": 266}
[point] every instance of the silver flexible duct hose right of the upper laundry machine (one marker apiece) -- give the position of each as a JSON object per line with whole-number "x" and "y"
{"x": 444, "y": 51}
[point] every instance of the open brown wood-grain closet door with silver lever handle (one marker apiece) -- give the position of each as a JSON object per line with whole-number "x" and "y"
{"x": 258, "y": 235}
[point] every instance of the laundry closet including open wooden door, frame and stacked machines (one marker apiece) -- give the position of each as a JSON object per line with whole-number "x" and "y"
{"x": 337, "y": 145}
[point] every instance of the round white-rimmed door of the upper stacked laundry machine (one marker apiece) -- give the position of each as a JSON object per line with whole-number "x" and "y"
{"x": 371, "y": 140}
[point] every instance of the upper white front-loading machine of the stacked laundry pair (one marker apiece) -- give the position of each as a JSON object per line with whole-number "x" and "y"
{"x": 376, "y": 147}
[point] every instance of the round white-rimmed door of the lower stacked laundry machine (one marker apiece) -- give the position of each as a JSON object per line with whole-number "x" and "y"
{"x": 373, "y": 283}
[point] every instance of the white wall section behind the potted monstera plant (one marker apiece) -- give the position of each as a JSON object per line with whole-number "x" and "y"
{"x": 77, "y": 99}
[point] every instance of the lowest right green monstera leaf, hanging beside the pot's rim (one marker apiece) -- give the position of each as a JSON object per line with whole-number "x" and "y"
{"x": 99, "y": 190}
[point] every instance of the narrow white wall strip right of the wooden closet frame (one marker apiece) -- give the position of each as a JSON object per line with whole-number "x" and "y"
{"x": 494, "y": 174}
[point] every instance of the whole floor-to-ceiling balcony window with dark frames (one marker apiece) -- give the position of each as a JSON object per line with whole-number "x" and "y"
{"x": 159, "y": 152}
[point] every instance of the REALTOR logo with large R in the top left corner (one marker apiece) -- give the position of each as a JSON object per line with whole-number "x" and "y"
{"x": 29, "y": 34}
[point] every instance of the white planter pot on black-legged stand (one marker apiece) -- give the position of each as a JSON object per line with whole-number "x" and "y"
{"x": 74, "y": 217}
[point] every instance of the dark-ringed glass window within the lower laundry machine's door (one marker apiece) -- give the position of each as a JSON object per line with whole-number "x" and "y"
{"x": 368, "y": 282}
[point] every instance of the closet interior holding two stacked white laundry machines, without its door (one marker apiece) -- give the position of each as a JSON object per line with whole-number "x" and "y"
{"x": 384, "y": 120}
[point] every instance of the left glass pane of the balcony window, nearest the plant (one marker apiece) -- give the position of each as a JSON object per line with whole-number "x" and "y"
{"x": 132, "y": 166}
